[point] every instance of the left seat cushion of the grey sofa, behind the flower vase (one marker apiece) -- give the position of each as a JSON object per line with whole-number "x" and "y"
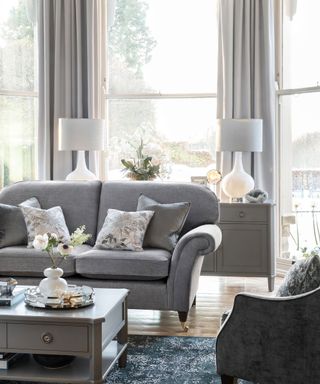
{"x": 23, "y": 261}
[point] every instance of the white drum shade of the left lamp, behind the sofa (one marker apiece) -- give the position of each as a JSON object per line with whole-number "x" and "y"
{"x": 81, "y": 134}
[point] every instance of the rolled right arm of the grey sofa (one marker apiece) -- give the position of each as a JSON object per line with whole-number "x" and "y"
{"x": 186, "y": 264}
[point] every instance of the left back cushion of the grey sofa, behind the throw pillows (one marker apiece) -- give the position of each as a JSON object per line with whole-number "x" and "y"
{"x": 79, "y": 200}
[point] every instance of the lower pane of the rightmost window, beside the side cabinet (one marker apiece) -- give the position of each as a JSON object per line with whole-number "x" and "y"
{"x": 300, "y": 170}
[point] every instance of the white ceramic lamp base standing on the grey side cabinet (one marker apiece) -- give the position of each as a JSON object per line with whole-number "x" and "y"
{"x": 238, "y": 182}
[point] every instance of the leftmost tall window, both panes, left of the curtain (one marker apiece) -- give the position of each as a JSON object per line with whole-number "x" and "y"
{"x": 18, "y": 91}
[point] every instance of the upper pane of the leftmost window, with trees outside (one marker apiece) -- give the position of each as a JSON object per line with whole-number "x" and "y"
{"x": 17, "y": 48}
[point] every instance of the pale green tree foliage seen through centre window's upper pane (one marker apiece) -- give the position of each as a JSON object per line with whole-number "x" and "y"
{"x": 130, "y": 37}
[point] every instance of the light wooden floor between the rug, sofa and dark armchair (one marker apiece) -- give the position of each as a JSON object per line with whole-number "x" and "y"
{"x": 215, "y": 295}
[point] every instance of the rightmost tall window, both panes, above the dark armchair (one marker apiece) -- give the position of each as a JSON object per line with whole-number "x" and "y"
{"x": 299, "y": 127}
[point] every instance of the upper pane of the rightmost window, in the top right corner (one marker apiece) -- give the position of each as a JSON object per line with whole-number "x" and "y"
{"x": 301, "y": 57}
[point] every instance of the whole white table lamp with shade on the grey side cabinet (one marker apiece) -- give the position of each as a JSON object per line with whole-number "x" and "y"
{"x": 238, "y": 135}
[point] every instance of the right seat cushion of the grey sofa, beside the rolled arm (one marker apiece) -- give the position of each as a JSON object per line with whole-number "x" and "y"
{"x": 150, "y": 264}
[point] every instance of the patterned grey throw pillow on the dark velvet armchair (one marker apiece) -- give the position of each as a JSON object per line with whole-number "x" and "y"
{"x": 303, "y": 276}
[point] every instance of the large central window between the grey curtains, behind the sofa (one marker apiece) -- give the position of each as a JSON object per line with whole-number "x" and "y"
{"x": 162, "y": 64}
